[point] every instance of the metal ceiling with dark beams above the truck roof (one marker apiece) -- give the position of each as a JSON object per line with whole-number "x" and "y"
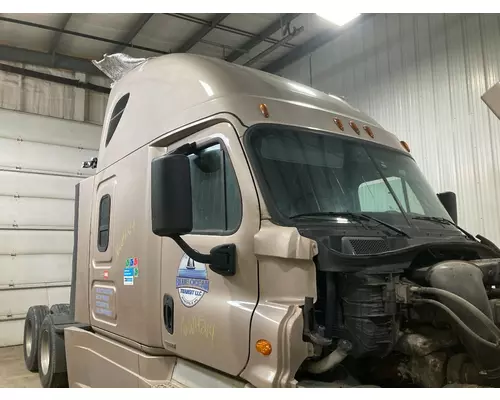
{"x": 263, "y": 41}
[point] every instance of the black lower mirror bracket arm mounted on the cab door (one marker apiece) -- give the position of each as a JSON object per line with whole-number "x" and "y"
{"x": 221, "y": 260}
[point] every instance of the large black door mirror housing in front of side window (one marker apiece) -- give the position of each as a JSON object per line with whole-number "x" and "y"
{"x": 171, "y": 202}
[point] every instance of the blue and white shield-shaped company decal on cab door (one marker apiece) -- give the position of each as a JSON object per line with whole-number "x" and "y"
{"x": 192, "y": 281}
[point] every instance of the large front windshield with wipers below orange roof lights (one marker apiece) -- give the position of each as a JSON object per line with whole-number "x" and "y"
{"x": 308, "y": 172}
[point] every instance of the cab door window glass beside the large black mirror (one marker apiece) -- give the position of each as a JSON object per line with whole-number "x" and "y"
{"x": 215, "y": 191}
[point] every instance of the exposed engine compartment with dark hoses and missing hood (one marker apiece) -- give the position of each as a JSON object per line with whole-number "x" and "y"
{"x": 400, "y": 314}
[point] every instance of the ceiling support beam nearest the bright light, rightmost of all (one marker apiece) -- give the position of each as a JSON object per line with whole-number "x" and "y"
{"x": 311, "y": 45}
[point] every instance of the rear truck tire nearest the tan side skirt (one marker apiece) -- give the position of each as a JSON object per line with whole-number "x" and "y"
{"x": 51, "y": 356}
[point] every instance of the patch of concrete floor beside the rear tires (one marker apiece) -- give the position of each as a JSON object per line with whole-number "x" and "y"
{"x": 13, "y": 372}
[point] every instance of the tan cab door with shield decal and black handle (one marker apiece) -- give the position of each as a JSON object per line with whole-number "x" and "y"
{"x": 207, "y": 316}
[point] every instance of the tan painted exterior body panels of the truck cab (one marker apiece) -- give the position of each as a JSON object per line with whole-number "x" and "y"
{"x": 176, "y": 99}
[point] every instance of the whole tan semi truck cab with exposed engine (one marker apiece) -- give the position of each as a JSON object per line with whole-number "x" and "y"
{"x": 242, "y": 229}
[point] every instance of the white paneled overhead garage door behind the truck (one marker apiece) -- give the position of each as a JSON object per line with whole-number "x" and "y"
{"x": 40, "y": 164}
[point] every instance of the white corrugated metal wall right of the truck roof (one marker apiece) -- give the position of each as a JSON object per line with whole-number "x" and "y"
{"x": 422, "y": 76}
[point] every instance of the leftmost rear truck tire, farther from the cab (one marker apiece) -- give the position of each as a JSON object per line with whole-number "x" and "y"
{"x": 32, "y": 324}
